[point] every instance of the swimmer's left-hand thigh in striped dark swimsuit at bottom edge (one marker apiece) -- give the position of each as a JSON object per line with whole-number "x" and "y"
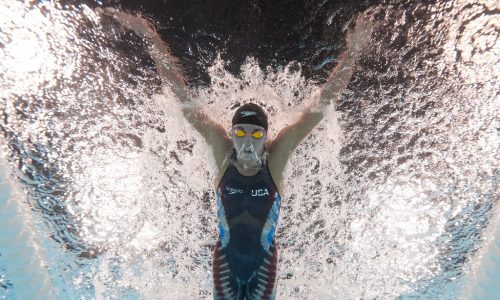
{"x": 225, "y": 285}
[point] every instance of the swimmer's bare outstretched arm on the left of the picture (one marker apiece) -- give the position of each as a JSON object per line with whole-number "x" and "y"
{"x": 213, "y": 133}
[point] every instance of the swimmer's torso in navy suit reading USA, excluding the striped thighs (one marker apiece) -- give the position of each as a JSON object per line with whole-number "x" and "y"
{"x": 247, "y": 212}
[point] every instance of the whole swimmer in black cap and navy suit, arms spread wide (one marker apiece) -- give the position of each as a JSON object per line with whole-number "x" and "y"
{"x": 249, "y": 176}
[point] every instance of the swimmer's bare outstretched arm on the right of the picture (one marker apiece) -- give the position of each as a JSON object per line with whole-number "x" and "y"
{"x": 290, "y": 137}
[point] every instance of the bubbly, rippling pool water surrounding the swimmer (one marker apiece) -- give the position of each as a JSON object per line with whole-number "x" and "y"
{"x": 108, "y": 192}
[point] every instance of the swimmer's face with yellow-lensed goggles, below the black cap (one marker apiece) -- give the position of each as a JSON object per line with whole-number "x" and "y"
{"x": 249, "y": 147}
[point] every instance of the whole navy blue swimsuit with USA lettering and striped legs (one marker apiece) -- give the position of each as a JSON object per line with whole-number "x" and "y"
{"x": 245, "y": 256}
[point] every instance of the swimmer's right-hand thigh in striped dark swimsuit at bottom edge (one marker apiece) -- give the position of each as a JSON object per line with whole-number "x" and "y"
{"x": 263, "y": 285}
